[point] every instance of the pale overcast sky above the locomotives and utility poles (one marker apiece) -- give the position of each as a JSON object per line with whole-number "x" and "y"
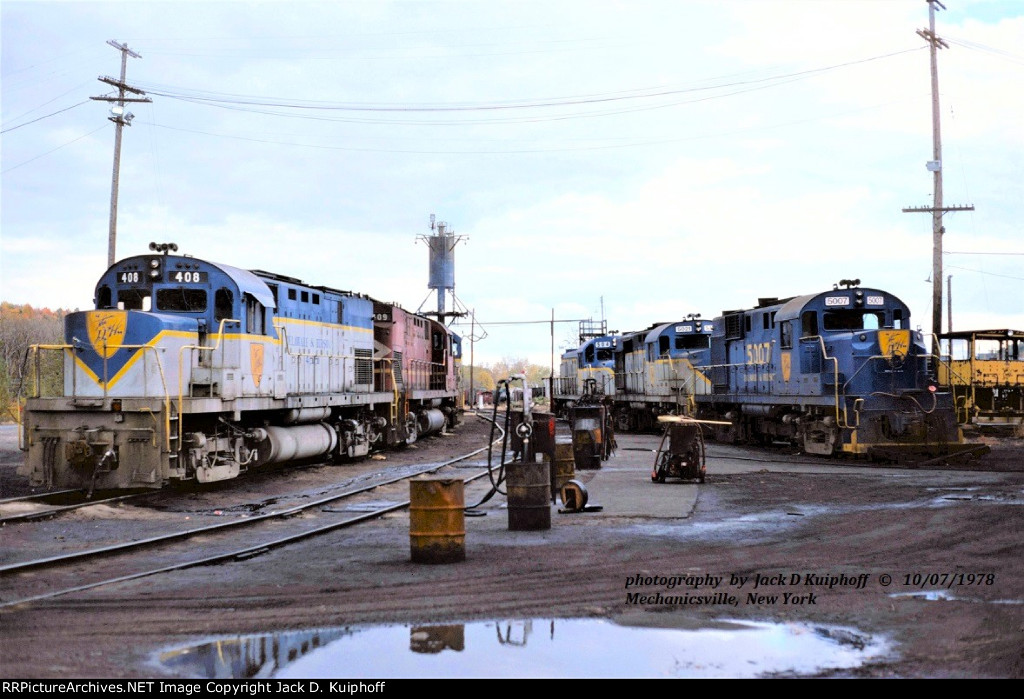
{"x": 633, "y": 161}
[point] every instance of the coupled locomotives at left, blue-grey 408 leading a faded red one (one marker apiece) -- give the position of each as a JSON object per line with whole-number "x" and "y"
{"x": 191, "y": 370}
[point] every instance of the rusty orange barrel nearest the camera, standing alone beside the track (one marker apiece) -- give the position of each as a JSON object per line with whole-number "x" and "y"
{"x": 437, "y": 522}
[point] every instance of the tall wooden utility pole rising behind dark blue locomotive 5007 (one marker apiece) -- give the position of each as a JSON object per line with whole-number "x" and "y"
{"x": 935, "y": 166}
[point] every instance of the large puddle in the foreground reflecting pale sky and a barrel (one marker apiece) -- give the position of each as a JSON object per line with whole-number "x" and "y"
{"x": 533, "y": 648}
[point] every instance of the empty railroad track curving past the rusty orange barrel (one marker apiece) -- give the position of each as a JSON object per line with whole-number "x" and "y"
{"x": 90, "y": 569}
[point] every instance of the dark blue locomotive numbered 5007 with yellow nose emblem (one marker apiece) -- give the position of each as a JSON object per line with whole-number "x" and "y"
{"x": 840, "y": 372}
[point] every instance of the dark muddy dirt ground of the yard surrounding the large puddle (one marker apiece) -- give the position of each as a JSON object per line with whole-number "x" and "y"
{"x": 758, "y": 514}
